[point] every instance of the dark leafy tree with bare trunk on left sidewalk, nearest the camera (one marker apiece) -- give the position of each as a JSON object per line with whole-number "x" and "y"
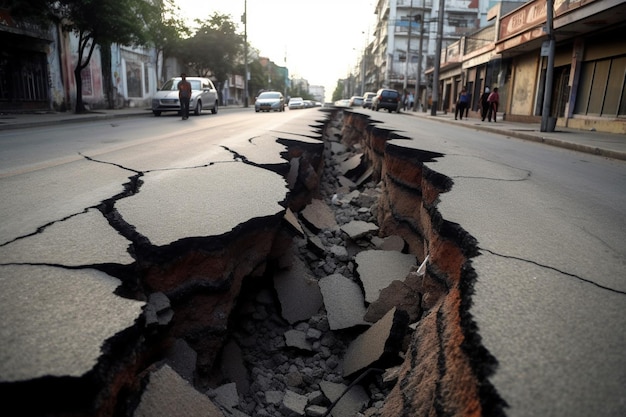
{"x": 95, "y": 22}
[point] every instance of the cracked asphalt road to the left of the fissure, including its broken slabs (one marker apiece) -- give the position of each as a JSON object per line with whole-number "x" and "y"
{"x": 71, "y": 211}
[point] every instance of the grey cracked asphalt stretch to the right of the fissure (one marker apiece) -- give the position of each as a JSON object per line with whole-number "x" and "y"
{"x": 550, "y": 295}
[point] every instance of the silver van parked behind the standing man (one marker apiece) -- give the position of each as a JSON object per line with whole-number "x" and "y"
{"x": 203, "y": 96}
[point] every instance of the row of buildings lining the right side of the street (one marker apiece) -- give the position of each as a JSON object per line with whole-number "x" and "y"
{"x": 508, "y": 51}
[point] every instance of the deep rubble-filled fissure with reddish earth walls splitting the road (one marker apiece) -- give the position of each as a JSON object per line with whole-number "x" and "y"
{"x": 287, "y": 314}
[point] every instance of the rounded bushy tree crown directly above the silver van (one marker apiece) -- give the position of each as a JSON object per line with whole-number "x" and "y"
{"x": 214, "y": 49}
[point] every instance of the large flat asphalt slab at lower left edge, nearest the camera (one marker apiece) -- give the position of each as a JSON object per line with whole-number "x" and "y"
{"x": 56, "y": 321}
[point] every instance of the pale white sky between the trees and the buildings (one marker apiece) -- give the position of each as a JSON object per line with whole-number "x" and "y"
{"x": 318, "y": 40}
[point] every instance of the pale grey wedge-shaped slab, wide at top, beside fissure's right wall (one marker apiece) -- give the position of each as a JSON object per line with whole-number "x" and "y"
{"x": 377, "y": 269}
